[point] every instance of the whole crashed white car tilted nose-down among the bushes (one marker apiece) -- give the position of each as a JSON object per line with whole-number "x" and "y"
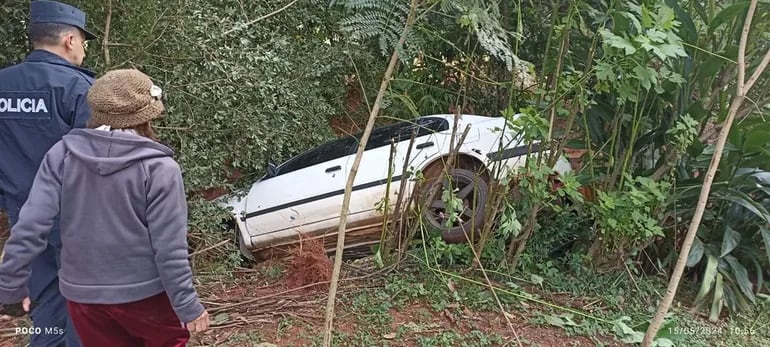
{"x": 302, "y": 197}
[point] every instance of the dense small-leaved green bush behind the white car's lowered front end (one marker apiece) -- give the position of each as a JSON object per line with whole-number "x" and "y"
{"x": 264, "y": 106}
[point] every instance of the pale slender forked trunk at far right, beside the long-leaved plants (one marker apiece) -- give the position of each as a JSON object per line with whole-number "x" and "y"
{"x": 742, "y": 90}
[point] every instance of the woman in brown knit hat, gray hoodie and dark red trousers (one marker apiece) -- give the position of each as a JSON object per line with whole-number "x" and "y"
{"x": 123, "y": 214}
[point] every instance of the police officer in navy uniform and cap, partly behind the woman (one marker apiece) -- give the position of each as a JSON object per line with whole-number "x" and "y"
{"x": 41, "y": 99}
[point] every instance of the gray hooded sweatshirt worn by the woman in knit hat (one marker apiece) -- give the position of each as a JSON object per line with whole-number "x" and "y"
{"x": 123, "y": 217}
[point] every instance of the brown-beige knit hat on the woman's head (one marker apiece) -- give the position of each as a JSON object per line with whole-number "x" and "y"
{"x": 124, "y": 98}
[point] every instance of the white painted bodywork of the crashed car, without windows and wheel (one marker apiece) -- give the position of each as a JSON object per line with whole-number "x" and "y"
{"x": 308, "y": 200}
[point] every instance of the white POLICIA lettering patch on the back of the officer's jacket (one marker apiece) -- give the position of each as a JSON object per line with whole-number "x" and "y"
{"x": 25, "y": 105}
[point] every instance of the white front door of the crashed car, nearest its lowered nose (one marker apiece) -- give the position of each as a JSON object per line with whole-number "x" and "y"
{"x": 305, "y": 192}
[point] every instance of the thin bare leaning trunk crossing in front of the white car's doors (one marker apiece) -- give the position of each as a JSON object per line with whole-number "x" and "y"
{"x": 351, "y": 178}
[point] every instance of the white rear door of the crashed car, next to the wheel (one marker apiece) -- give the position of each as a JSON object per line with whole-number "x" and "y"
{"x": 371, "y": 184}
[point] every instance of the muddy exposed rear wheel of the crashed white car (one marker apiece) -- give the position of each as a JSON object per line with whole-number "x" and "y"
{"x": 469, "y": 187}
